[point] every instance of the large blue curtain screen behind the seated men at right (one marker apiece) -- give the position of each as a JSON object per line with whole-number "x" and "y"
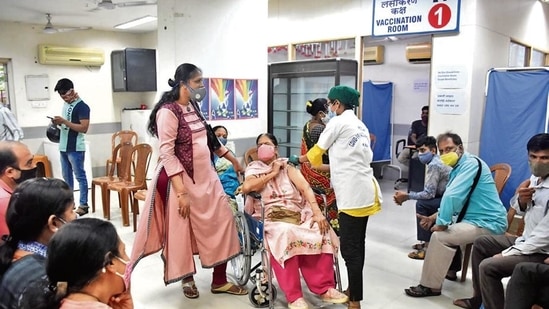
{"x": 516, "y": 109}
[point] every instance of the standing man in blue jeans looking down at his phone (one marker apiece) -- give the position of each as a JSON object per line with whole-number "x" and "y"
{"x": 74, "y": 124}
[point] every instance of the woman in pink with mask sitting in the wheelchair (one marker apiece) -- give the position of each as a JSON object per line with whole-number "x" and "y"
{"x": 297, "y": 234}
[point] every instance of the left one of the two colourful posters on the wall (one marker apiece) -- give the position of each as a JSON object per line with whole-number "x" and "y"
{"x": 221, "y": 98}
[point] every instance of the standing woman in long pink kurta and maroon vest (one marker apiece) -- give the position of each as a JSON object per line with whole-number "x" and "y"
{"x": 186, "y": 210}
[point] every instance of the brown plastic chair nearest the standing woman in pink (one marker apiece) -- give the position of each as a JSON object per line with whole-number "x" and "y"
{"x": 141, "y": 157}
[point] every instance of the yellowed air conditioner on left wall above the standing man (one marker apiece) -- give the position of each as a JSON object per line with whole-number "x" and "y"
{"x": 48, "y": 54}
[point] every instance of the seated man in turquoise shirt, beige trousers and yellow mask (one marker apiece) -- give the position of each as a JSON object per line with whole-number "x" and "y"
{"x": 471, "y": 192}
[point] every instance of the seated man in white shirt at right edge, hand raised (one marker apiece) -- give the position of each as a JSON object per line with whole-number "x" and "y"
{"x": 495, "y": 257}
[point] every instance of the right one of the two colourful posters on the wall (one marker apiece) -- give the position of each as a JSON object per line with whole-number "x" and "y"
{"x": 246, "y": 98}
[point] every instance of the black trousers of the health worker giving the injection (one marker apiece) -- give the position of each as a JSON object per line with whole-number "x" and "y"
{"x": 352, "y": 232}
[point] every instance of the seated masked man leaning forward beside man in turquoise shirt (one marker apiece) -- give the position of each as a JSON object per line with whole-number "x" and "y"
{"x": 428, "y": 200}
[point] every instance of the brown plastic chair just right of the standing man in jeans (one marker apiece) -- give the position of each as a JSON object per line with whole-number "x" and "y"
{"x": 121, "y": 153}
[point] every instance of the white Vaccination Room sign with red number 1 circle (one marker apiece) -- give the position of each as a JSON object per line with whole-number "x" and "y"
{"x": 396, "y": 17}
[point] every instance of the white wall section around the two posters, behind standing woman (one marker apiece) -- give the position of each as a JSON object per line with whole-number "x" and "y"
{"x": 225, "y": 39}
